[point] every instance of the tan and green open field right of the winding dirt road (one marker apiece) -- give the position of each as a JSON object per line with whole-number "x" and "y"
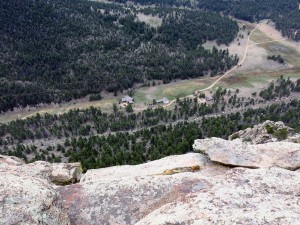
{"x": 257, "y": 69}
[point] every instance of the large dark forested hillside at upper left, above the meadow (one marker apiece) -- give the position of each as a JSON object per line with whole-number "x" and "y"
{"x": 53, "y": 51}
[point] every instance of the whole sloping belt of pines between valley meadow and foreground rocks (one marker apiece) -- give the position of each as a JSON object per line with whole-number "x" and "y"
{"x": 99, "y": 139}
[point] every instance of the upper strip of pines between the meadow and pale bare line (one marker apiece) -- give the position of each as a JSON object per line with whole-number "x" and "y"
{"x": 93, "y": 121}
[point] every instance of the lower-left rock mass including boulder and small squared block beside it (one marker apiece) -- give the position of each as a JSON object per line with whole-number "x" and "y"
{"x": 27, "y": 192}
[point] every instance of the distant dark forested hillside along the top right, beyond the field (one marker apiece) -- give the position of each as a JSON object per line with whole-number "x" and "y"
{"x": 285, "y": 13}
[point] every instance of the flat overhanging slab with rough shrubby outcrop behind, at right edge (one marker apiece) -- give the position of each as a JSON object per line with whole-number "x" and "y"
{"x": 271, "y": 144}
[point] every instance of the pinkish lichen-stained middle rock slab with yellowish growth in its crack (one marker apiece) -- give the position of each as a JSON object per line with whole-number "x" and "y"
{"x": 126, "y": 194}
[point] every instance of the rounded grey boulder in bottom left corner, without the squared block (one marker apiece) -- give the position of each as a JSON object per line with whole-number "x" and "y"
{"x": 29, "y": 200}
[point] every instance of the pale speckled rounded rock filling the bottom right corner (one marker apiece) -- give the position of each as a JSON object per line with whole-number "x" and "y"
{"x": 241, "y": 196}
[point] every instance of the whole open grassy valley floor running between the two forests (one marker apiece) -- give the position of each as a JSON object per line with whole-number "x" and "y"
{"x": 254, "y": 74}
